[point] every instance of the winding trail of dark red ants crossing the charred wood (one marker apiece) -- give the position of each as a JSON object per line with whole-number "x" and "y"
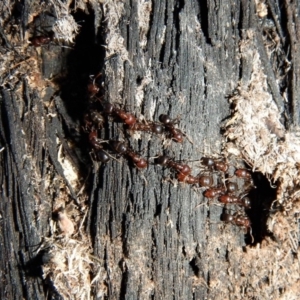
{"x": 225, "y": 194}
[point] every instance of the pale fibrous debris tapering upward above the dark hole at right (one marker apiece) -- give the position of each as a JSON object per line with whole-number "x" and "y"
{"x": 259, "y": 136}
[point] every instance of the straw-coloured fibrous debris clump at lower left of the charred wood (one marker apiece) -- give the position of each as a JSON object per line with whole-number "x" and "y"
{"x": 69, "y": 248}
